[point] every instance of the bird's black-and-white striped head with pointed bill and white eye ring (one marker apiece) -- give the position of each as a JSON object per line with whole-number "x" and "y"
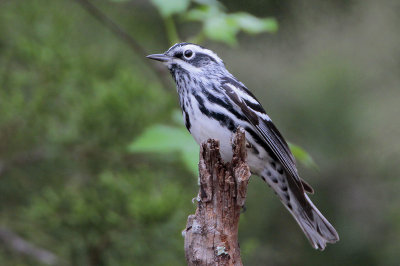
{"x": 190, "y": 58}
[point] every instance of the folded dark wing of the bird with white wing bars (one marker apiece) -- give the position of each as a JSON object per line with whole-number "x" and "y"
{"x": 256, "y": 115}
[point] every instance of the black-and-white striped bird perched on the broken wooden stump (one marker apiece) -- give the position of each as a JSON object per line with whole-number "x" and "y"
{"x": 214, "y": 104}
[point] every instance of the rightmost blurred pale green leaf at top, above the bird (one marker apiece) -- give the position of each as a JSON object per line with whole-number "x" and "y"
{"x": 254, "y": 25}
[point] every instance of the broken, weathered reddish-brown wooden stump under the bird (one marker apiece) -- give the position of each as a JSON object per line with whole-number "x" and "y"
{"x": 211, "y": 234}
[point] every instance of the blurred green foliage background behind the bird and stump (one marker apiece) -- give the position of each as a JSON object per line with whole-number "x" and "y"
{"x": 74, "y": 96}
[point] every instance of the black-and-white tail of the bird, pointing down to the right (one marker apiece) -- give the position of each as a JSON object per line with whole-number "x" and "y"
{"x": 314, "y": 225}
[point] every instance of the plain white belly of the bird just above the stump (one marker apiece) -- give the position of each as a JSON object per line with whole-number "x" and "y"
{"x": 206, "y": 128}
